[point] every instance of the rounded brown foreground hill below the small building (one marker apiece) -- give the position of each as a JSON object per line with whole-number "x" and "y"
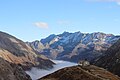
{"x": 81, "y": 73}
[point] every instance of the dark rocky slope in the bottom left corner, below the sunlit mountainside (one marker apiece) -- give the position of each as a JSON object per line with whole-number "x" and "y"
{"x": 9, "y": 71}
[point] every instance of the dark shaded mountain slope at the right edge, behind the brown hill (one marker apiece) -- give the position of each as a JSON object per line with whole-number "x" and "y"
{"x": 111, "y": 59}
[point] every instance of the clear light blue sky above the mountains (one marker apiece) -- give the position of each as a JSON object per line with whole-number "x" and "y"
{"x": 31, "y": 20}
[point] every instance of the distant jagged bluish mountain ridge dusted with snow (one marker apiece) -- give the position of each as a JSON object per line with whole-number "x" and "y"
{"x": 74, "y": 46}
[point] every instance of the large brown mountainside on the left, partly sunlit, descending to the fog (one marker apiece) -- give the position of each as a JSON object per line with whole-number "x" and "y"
{"x": 18, "y": 52}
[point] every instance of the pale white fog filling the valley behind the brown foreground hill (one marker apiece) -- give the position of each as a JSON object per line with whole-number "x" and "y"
{"x": 38, "y": 73}
